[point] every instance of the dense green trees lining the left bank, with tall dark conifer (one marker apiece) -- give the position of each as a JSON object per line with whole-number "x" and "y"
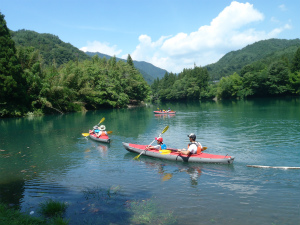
{"x": 29, "y": 86}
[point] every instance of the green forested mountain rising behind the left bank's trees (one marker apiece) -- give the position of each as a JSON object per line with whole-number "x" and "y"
{"x": 51, "y": 48}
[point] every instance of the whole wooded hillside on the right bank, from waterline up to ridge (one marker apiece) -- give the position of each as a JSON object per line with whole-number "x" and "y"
{"x": 255, "y": 71}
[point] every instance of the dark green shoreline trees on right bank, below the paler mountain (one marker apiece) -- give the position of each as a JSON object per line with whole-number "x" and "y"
{"x": 262, "y": 78}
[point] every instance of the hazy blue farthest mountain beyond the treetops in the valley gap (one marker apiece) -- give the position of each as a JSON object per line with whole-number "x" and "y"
{"x": 149, "y": 72}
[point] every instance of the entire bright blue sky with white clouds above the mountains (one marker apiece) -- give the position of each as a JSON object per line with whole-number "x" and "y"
{"x": 170, "y": 34}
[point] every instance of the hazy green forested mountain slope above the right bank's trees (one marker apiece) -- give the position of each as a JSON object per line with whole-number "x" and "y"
{"x": 266, "y": 51}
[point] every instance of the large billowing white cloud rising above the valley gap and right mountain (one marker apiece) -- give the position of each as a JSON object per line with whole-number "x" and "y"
{"x": 209, "y": 43}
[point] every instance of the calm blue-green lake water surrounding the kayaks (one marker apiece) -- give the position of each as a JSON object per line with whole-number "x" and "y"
{"x": 51, "y": 159}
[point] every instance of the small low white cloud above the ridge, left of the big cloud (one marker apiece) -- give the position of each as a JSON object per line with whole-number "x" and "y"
{"x": 104, "y": 48}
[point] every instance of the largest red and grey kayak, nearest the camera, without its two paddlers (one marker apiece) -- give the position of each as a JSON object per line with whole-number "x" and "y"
{"x": 175, "y": 156}
